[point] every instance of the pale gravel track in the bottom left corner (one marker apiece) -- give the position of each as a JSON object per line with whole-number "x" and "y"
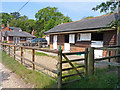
{"x": 9, "y": 79}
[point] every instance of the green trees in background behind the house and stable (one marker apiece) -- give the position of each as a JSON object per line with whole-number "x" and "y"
{"x": 46, "y": 19}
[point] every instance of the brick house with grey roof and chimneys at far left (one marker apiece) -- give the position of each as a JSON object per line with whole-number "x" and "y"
{"x": 14, "y": 35}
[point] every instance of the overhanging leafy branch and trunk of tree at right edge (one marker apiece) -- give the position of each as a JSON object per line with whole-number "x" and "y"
{"x": 111, "y": 6}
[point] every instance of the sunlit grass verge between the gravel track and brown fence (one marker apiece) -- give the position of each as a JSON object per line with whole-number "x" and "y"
{"x": 39, "y": 80}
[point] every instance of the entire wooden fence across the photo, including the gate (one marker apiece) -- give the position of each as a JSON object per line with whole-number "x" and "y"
{"x": 88, "y": 59}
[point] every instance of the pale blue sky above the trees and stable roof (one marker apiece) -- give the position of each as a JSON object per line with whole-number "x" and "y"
{"x": 75, "y": 9}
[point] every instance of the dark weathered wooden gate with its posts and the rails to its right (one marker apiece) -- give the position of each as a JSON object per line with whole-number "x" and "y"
{"x": 88, "y": 59}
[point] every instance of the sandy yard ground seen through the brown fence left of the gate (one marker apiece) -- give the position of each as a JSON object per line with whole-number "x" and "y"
{"x": 46, "y": 61}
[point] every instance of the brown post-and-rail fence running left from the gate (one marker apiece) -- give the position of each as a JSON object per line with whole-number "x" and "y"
{"x": 13, "y": 53}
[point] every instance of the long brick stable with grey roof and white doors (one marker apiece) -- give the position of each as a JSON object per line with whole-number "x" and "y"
{"x": 92, "y": 32}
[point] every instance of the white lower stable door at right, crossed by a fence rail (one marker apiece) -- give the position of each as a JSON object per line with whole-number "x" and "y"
{"x": 97, "y": 53}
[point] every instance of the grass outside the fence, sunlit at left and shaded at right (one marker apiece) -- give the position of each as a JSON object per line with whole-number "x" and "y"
{"x": 103, "y": 78}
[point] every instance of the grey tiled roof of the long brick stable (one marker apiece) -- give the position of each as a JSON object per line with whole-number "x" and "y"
{"x": 85, "y": 24}
